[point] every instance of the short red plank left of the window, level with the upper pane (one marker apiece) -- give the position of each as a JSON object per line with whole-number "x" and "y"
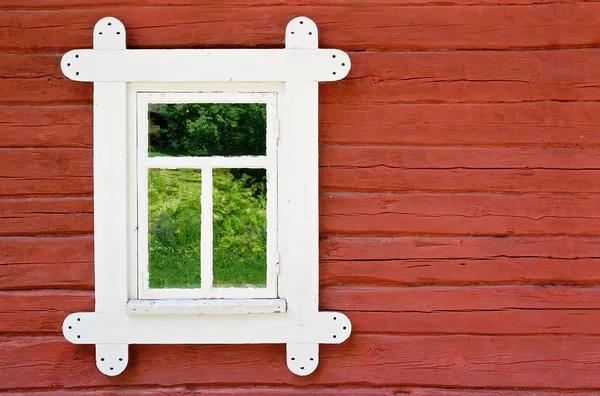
{"x": 46, "y": 126}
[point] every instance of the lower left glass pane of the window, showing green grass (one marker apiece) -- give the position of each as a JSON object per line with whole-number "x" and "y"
{"x": 174, "y": 228}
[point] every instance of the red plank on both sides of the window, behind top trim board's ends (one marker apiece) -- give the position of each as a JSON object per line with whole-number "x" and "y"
{"x": 376, "y": 78}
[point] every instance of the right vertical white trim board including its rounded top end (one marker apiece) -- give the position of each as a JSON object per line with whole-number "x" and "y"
{"x": 299, "y": 186}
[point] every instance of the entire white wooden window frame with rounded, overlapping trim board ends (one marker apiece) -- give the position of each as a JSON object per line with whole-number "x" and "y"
{"x": 122, "y": 315}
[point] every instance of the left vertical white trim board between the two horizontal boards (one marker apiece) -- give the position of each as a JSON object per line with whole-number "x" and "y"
{"x": 110, "y": 196}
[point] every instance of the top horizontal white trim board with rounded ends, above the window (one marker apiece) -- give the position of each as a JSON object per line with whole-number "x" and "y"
{"x": 206, "y": 65}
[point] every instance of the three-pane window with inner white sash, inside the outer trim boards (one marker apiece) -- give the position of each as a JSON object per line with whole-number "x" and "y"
{"x": 207, "y": 196}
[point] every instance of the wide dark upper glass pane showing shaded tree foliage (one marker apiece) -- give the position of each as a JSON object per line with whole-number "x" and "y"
{"x": 207, "y": 129}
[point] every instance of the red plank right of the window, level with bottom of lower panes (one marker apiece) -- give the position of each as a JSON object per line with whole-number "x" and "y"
{"x": 501, "y": 269}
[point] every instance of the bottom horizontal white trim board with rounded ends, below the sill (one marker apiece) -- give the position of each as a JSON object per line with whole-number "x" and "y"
{"x": 277, "y": 328}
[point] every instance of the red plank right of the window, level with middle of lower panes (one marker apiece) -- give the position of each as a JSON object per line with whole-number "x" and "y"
{"x": 466, "y": 214}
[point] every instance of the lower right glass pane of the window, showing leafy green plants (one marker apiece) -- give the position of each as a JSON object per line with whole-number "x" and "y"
{"x": 239, "y": 228}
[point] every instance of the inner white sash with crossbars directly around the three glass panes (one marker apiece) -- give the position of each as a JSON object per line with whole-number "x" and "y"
{"x": 206, "y": 290}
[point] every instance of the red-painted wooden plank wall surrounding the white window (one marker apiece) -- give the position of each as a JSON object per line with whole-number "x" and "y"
{"x": 460, "y": 179}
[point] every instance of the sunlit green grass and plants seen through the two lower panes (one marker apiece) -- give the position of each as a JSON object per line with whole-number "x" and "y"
{"x": 239, "y": 229}
